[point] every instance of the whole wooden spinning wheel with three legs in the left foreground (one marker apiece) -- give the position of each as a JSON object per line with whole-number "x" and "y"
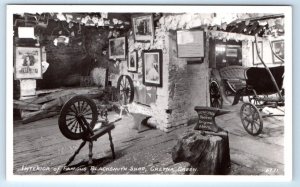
{"x": 77, "y": 119}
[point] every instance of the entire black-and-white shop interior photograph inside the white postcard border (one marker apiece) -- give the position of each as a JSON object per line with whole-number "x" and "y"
{"x": 148, "y": 93}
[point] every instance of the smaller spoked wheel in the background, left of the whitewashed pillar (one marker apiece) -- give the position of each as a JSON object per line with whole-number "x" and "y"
{"x": 125, "y": 89}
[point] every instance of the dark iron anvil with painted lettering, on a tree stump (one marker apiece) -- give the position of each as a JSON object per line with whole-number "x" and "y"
{"x": 206, "y": 118}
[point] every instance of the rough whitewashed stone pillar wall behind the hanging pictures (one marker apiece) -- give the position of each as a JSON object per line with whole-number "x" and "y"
{"x": 176, "y": 99}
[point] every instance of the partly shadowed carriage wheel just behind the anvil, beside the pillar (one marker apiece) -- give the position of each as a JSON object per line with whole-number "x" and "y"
{"x": 215, "y": 95}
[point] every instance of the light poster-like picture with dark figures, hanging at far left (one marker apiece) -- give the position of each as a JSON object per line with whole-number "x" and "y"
{"x": 28, "y": 63}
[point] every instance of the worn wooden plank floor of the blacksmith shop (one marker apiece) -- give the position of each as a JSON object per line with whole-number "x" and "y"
{"x": 40, "y": 148}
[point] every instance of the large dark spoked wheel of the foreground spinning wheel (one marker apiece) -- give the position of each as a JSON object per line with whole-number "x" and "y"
{"x": 75, "y": 107}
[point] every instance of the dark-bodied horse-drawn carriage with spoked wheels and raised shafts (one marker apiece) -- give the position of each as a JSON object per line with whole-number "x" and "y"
{"x": 262, "y": 85}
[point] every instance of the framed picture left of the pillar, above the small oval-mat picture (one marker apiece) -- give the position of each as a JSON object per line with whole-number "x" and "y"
{"x": 117, "y": 48}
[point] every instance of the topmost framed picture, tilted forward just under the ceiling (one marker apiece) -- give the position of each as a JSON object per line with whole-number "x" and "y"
{"x": 143, "y": 28}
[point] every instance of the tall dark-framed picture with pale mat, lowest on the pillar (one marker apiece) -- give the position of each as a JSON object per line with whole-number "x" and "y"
{"x": 152, "y": 67}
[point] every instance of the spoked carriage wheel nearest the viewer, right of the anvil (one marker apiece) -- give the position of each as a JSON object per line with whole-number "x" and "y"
{"x": 251, "y": 119}
